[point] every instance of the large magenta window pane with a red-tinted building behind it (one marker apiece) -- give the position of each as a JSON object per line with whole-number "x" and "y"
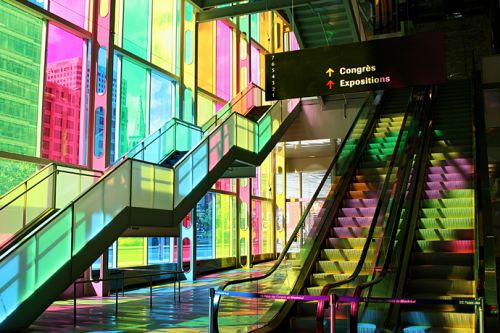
{"x": 63, "y": 96}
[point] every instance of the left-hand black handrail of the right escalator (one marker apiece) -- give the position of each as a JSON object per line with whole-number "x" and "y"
{"x": 396, "y": 209}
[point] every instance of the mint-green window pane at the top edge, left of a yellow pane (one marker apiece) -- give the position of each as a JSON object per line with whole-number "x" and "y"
{"x": 135, "y": 27}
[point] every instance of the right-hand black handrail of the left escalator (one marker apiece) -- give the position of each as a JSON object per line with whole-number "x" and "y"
{"x": 379, "y": 212}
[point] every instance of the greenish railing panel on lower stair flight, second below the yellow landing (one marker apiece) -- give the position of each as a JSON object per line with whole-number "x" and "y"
{"x": 89, "y": 216}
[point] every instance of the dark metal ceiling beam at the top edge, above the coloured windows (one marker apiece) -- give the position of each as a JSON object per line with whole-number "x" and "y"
{"x": 250, "y": 8}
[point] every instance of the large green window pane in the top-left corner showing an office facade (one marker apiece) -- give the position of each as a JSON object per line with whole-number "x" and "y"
{"x": 20, "y": 57}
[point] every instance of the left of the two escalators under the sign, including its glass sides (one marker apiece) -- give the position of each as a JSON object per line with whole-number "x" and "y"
{"x": 325, "y": 248}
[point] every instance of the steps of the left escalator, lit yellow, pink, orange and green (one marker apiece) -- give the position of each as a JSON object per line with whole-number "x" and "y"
{"x": 344, "y": 244}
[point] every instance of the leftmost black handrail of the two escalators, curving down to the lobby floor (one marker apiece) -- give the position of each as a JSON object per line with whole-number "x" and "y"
{"x": 300, "y": 223}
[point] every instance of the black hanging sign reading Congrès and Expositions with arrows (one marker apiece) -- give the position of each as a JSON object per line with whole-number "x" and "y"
{"x": 377, "y": 64}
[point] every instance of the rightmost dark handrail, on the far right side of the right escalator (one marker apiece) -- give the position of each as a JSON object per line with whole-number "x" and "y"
{"x": 485, "y": 261}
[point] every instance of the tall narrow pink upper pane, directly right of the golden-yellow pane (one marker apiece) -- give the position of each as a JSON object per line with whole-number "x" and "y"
{"x": 224, "y": 65}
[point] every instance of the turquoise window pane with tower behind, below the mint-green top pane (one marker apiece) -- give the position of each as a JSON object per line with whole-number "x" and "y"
{"x": 133, "y": 106}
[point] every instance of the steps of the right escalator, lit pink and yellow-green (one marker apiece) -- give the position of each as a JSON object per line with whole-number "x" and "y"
{"x": 441, "y": 266}
